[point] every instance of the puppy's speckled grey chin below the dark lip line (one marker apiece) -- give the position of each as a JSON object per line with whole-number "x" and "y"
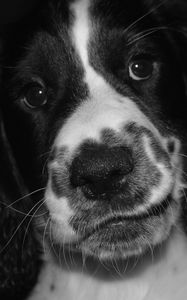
{"x": 123, "y": 241}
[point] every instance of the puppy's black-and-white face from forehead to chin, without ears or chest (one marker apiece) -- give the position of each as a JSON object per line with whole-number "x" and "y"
{"x": 102, "y": 88}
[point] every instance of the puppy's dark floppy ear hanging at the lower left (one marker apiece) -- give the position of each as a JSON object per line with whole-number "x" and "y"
{"x": 19, "y": 254}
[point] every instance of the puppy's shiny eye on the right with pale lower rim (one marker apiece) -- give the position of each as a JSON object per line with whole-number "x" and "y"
{"x": 141, "y": 69}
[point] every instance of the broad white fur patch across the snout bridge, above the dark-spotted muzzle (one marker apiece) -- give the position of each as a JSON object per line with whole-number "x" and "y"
{"x": 96, "y": 114}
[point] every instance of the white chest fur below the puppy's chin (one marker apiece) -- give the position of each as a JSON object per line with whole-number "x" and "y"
{"x": 163, "y": 277}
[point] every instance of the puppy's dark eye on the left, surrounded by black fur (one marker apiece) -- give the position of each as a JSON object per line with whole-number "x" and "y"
{"x": 34, "y": 95}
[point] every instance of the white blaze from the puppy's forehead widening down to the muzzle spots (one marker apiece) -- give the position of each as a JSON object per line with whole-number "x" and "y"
{"x": 102, "y": 102}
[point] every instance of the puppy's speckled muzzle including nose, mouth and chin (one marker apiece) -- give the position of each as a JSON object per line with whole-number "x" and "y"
{"x": 114, "y": 197}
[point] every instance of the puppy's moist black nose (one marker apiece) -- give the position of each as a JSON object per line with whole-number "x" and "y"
{"x": 100, "y": 169}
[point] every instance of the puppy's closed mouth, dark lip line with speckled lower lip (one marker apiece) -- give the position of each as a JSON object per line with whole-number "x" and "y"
{"x": 122, "y": 235}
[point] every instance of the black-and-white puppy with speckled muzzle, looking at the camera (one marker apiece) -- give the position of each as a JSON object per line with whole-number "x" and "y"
{"x": 95, "y": 109}
